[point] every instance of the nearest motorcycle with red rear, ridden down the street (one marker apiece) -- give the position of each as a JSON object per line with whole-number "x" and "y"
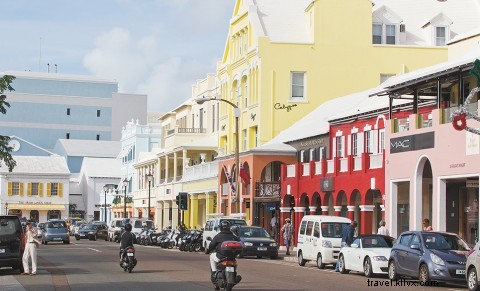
{"x": 226, "y": 275}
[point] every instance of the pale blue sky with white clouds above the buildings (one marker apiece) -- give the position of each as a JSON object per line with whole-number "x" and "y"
{"x": 154, "y": 47}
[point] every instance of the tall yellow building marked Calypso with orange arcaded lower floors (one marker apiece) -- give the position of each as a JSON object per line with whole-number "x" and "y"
{"x": 284, "y": 58}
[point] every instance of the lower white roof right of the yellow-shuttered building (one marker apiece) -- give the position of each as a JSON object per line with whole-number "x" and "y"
{"x": 101, "y": 167}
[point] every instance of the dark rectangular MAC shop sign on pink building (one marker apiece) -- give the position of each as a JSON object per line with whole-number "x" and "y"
{"x": 412, "y": 142}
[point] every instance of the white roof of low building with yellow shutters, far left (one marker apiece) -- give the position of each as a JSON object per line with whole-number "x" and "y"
{"x": 38, "y": 165}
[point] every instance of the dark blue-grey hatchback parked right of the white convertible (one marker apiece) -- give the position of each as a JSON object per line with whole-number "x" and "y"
{"x": 428, "y": 255}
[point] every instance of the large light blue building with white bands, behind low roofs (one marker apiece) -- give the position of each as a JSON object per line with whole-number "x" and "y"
{"x": 46, "y": 107}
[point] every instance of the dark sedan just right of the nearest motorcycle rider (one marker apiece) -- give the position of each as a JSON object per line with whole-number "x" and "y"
{"x": 257, "y": 242}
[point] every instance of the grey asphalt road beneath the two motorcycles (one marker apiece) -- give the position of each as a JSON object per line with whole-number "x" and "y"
{"x": 93, "y": 265}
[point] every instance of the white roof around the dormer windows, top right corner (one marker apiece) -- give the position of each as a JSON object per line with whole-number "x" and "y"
{"x": 464, "y": 14}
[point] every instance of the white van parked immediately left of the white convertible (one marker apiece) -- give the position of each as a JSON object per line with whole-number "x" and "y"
{"x": 320, "y": 238}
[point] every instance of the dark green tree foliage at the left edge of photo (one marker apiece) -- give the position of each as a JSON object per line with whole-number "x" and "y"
{"x": 5, "y": 148}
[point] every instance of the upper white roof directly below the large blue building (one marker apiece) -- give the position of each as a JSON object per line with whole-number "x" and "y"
{"x": 89, "y": 148}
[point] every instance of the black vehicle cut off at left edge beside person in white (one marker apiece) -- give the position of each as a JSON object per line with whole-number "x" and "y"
{"x": 12, "y": 239}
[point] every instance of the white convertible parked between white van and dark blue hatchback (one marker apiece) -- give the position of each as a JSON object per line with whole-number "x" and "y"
{"x": 368, "y": 254}
